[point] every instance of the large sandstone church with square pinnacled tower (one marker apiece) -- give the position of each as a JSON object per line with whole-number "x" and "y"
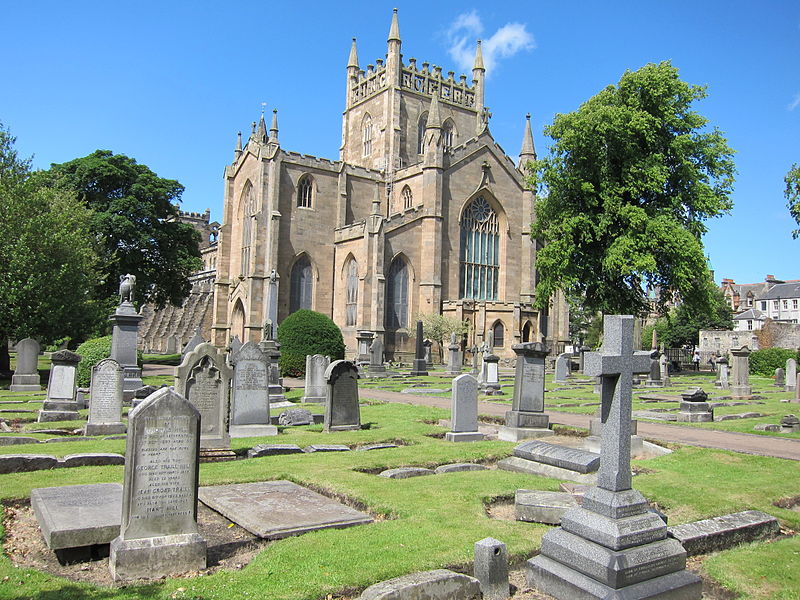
{"x": 423, "y": 212}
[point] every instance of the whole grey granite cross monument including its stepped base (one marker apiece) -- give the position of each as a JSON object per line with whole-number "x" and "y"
{"x": 612, "y": 546}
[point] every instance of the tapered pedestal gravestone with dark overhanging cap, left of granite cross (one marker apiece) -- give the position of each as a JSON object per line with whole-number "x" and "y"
{"x": 527, "y": 418}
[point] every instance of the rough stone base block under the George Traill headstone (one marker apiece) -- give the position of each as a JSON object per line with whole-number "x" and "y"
{"x": 156, "y": 557}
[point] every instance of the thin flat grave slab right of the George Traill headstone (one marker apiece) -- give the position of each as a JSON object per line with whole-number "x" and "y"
{"x": 279, "y": 509}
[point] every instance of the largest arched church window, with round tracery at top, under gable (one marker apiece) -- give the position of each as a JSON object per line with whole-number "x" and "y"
{"x": 480, "y": 251}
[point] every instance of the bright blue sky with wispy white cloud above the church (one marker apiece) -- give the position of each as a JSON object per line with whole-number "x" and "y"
{"x": 170, "y": 83}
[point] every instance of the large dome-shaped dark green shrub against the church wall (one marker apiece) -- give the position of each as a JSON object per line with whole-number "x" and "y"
{"x": 307, "y": 332}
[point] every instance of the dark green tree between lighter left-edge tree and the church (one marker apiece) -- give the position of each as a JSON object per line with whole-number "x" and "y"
{"x": 134, "y": 212}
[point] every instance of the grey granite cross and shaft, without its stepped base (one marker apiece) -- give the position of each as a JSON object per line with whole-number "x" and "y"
{"x": 615, "y": 364}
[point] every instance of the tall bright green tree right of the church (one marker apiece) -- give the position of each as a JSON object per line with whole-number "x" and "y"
{"x": 631, "y": 177}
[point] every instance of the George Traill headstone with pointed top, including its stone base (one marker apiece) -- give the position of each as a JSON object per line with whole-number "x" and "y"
{"x": 158, "y": 531}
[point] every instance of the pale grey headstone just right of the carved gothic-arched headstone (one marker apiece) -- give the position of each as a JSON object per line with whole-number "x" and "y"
{"x": 250, "y": 393}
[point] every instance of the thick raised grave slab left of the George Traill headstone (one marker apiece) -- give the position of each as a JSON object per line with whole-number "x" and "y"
{"x": 74, "y": 516}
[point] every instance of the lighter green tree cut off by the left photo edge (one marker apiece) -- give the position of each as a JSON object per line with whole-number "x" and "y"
{"x": 46, "y": 257}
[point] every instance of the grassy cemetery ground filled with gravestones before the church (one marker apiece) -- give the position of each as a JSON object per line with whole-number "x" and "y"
{"x": 351, "y": 486}
